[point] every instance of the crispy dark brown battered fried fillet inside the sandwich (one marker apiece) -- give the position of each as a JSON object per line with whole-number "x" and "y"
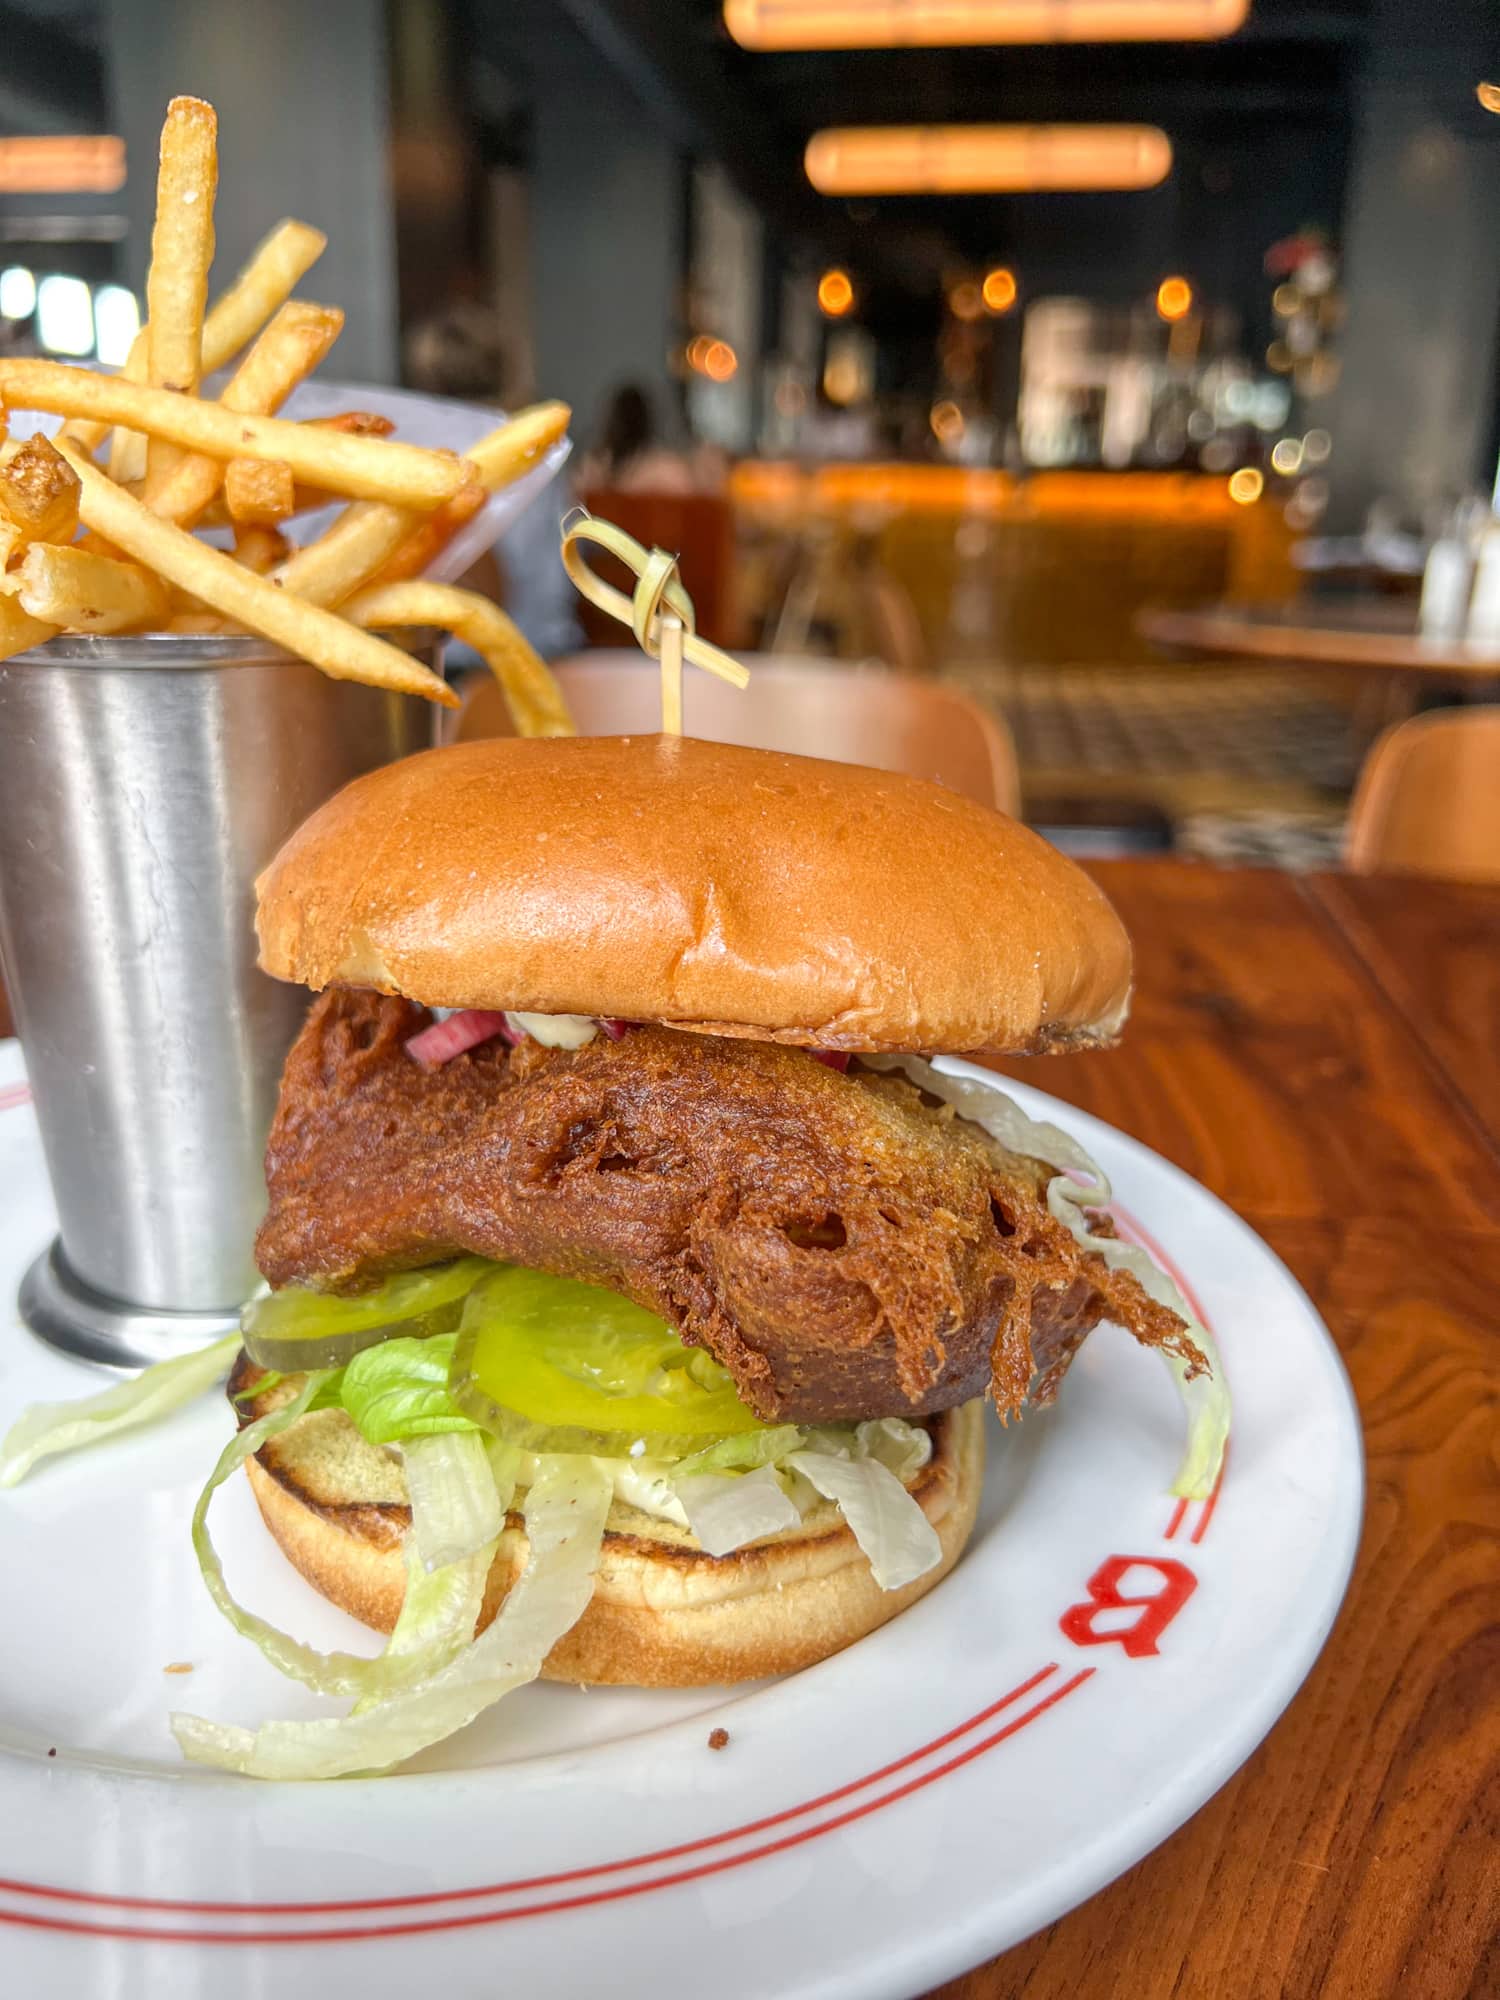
{"x": 843, "y": 1247}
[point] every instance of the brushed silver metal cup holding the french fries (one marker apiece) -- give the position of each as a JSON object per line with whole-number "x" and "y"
{"x": 143, "y": 785}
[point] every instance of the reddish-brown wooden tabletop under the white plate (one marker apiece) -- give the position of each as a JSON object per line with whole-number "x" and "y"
{"x": 1325, "y": 1053}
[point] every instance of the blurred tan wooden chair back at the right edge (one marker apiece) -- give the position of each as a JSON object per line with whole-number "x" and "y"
{"x": 1429, "y": 799}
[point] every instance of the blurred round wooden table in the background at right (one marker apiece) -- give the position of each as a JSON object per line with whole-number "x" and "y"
{"x": 1359, "y": 635}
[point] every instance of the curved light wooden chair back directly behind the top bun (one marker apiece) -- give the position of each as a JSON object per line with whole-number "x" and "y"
{"x": 853, "y": 715}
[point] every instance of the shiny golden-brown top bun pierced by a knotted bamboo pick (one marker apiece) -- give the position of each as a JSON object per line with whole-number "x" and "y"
{"x": 703, "y": 887}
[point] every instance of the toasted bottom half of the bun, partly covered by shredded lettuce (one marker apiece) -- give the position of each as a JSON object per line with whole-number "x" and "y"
{"x": 663, "y": 1613}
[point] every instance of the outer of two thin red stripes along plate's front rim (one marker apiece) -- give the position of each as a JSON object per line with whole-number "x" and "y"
{"x": 421, "y": 1927}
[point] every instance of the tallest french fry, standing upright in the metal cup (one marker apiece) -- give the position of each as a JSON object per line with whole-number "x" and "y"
{"x": 183, "y": 249}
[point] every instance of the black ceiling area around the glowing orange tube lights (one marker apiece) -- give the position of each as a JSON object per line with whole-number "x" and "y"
{"x": 1261, "y": 127}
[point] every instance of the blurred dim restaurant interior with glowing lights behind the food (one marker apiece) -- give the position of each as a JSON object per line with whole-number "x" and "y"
{"x": 1179, "y": 483}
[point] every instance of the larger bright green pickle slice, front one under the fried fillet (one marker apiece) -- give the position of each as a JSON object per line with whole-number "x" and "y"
{"x": 561, "y": 1367}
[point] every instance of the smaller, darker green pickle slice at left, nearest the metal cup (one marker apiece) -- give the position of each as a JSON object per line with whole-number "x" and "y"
{"x": 299, "y": 1329}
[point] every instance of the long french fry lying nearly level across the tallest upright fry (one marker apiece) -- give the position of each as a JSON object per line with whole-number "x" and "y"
{"x": 367, "y": 469}
